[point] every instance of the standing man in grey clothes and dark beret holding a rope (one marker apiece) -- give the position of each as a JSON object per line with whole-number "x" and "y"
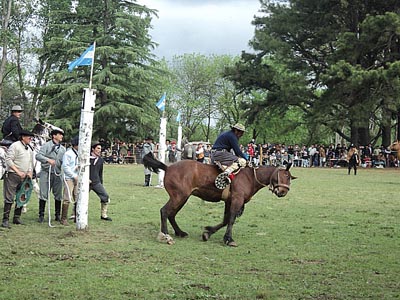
{"x": 50, "y": 156}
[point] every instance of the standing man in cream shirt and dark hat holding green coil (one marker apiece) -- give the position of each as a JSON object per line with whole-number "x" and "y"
{"x": 19, "y": 165}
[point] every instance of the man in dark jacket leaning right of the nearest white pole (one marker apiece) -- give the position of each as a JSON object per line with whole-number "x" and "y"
{"x": 96, "y": 179}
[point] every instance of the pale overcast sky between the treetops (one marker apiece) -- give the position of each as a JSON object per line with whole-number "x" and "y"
{"x": 202, "y": 26}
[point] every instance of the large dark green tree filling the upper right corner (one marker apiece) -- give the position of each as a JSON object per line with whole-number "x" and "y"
{"x": 320, "y": 56}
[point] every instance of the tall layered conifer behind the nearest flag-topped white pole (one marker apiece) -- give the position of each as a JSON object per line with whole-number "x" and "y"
{"x": 125, "y": 74}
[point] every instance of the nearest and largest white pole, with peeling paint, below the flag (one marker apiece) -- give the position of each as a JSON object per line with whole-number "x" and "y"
{"x": 85, "y": 138}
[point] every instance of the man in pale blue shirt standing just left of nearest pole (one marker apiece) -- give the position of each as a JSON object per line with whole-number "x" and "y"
{"x": 71, "y": 170}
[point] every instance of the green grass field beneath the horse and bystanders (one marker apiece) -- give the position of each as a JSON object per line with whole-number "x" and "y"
{"x": 333, "y": 236}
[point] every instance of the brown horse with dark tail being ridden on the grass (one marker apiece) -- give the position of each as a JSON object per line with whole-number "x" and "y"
{"x": 188, "y": 177}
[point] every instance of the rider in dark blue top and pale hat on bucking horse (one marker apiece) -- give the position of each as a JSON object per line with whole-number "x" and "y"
{"x": 221, "y": 151}
